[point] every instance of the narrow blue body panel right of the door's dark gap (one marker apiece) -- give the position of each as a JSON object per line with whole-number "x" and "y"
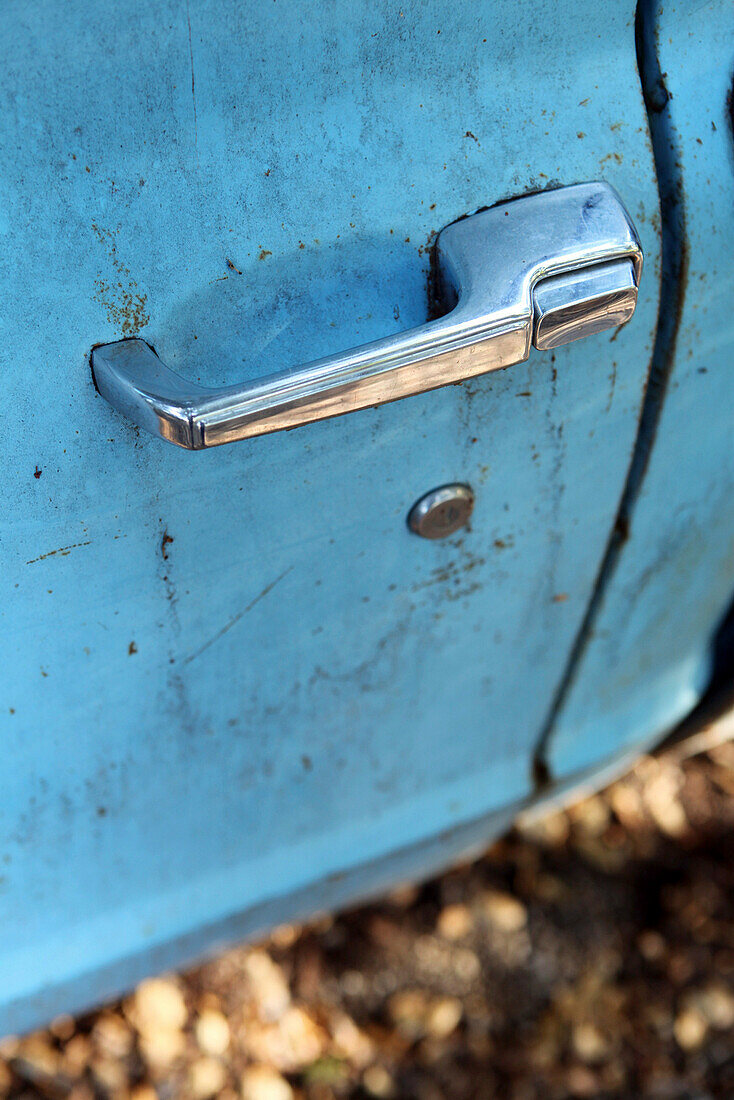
{"x": 649, "y": 658}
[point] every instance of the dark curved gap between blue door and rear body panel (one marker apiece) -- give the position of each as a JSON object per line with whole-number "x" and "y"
{"x": 673, "y": 292}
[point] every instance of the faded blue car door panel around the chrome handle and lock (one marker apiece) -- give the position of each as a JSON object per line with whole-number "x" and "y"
{"x": 232, "y": 676}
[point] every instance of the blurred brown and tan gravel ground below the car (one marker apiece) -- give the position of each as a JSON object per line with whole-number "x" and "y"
{"x": 588, "y": 955}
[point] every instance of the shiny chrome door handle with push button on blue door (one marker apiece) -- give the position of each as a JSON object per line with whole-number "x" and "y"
{"x": 545, "y": 270}
